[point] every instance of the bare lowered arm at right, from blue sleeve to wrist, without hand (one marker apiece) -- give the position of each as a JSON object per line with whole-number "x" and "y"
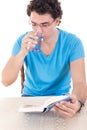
{"x": 79, "y": 79}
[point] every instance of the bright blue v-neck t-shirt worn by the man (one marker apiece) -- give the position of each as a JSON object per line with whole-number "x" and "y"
{"x": 50, "y": 75}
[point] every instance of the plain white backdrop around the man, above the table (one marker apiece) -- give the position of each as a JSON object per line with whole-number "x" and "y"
{"x": 14, "y": 22}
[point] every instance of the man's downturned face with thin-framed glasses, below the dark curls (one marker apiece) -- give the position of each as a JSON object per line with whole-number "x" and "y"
{"x": 45, "y": 24}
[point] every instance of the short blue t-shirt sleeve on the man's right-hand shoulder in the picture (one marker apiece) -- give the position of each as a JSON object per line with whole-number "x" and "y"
{"x": 77, "y": 51}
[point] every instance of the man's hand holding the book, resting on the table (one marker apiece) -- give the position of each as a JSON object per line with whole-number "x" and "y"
{"x": 68, "y": 109}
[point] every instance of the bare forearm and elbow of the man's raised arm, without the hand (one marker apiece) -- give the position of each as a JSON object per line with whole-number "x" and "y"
{"x": 11, "y": 69}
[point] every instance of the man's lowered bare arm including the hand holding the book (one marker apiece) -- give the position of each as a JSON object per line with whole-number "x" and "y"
{"x": 79, "y": 92}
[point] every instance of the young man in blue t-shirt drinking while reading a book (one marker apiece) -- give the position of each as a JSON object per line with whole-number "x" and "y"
{"x": 60, "y": 58}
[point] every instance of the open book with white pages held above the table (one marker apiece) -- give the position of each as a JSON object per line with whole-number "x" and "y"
{"x": 47, "y": 105}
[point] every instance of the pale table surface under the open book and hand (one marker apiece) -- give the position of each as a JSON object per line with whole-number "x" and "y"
{"x": 12, "y": 119}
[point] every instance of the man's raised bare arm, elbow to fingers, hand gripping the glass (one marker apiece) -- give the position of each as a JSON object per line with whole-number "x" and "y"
{"x": 14, "y": 64}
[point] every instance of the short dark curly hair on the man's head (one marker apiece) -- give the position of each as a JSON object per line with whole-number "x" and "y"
{"x": 52, "y": 7}
